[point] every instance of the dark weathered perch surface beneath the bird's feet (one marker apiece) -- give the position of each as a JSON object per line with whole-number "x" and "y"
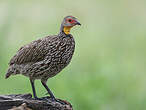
{"x": 26, "y": 102}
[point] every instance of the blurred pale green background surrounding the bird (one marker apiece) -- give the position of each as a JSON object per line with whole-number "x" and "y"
{"x": 108, "y": 69}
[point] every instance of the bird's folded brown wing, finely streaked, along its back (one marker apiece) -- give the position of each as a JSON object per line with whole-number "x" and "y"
{"x": 33, "y": 52}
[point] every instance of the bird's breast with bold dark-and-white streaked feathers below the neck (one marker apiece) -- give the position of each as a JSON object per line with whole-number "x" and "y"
{"x": 61, "y": 54}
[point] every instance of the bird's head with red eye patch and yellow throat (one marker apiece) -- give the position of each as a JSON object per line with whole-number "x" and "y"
{"x": 67, "y": 23}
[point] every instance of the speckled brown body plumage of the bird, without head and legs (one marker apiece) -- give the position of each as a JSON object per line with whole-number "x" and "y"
{"x": 43, "y": 58}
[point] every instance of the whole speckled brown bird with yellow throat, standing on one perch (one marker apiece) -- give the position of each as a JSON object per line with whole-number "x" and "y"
{"x": 46, "y": 57}
